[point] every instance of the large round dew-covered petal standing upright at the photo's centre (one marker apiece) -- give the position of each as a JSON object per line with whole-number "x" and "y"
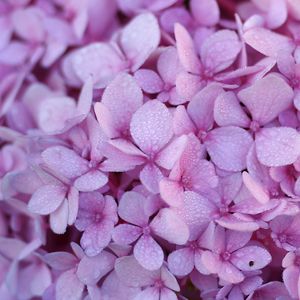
{"x": 151, "y": 126}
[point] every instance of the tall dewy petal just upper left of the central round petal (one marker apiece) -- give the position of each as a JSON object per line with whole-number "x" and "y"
{"x": 122, "y": 97}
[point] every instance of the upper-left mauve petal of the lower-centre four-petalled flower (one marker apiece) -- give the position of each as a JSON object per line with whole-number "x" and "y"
{"x": 131, "y": 208}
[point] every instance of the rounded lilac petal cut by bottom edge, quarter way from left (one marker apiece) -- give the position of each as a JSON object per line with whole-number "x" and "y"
{"x": 68, "y": 286}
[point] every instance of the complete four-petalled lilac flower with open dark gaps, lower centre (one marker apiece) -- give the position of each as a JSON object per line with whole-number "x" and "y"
{"x": 166, "y": 224}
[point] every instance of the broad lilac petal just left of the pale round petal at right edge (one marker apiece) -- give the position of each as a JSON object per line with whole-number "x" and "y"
{"x": 228, "y": 147}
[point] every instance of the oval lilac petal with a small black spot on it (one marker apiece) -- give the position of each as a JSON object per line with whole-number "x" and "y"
{"x": 251, "y": 258}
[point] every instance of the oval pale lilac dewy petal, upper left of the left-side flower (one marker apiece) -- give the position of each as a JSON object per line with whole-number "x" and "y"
{"x": 65, "y": 161}
